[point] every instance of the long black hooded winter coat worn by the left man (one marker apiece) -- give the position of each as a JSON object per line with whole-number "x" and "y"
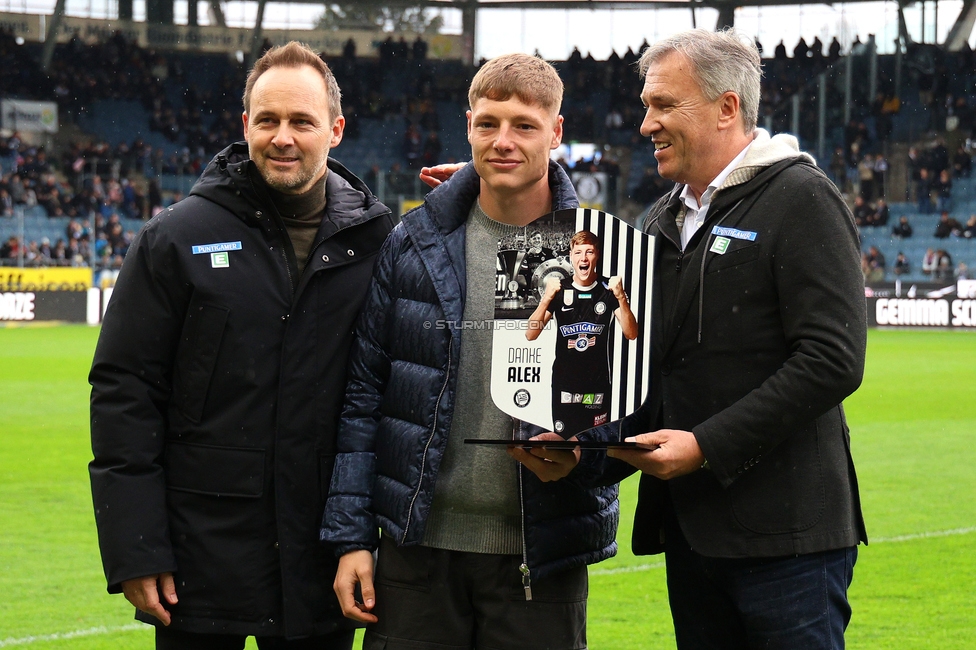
{"x": 216, "y": 388}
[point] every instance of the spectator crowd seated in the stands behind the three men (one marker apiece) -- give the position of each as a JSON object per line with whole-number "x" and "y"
{"x": 98, "y": 183}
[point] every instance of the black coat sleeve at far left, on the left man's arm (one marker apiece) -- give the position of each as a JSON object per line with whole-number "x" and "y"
{"x": 131, "y": 382}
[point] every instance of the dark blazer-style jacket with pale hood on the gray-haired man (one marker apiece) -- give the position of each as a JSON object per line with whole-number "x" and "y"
{"x": 760, "y": 333}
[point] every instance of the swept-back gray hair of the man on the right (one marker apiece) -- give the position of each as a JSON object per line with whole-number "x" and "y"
{"x": 723, "y": 61}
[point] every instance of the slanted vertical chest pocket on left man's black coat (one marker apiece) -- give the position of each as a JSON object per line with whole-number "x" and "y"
{"x": 196, "y": 358}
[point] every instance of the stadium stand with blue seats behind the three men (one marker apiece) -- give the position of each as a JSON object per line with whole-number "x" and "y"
{"x": 144, "y": 123}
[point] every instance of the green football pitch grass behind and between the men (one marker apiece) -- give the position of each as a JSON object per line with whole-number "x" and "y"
{"x": 913, "y": 433}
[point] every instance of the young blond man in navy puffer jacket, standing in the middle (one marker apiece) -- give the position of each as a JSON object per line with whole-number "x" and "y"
{"x": 475, "y": 552}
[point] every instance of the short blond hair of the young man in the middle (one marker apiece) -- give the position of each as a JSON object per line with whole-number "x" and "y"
{"x": 529, "y": 78}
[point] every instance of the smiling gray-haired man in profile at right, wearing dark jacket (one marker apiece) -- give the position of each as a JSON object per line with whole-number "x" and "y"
{"x": 747, "y": 484}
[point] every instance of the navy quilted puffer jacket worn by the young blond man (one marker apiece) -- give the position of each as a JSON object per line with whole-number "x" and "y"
{"x": 400, "y": 400}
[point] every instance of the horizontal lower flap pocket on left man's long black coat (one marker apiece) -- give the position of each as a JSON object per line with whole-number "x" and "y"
{"x": 214, "y": 471}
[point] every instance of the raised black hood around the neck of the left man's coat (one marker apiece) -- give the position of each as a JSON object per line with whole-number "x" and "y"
{"x": 232, "y": 181}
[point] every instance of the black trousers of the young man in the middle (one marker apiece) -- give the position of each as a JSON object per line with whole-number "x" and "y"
{"x": 435, "y": 599}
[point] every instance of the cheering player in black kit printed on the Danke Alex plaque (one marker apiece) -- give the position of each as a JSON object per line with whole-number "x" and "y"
{"x": 585, "y": 308}
